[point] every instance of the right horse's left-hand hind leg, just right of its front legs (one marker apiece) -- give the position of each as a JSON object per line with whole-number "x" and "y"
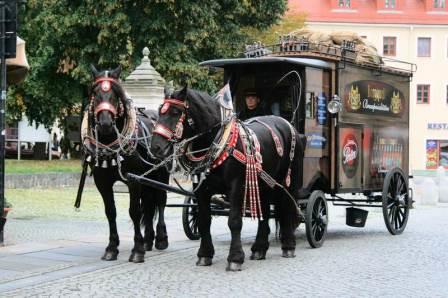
{"x": 261, "y": 244}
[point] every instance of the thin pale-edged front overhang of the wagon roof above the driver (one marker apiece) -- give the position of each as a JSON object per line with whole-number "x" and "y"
{"x": 259, "y": 60}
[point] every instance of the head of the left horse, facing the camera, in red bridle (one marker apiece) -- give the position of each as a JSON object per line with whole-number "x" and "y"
{"x": 107, "y": 100}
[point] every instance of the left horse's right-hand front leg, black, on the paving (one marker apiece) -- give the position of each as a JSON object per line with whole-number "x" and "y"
{"x": 135, "y": 211}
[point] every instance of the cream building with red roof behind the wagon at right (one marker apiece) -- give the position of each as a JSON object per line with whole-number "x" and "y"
{"x": 415, "y": 31}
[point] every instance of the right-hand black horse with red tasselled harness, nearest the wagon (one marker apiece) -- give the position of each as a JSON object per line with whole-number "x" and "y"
{"x": 230, "y": 164}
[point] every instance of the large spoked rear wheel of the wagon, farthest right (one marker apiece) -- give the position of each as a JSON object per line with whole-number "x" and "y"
{"x": 396, "y": 201}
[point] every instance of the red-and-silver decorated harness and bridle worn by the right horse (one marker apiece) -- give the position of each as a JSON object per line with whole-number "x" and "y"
{"x": 224, "y": 146}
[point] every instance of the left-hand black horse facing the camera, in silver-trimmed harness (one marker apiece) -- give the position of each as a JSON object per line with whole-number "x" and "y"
{"x": 116, "y": 139}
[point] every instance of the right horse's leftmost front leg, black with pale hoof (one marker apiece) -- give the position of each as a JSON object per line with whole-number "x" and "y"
{"x": 206, "y": 250}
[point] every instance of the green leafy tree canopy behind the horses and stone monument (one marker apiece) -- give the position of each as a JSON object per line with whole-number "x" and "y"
{"x": 64, "y": 36}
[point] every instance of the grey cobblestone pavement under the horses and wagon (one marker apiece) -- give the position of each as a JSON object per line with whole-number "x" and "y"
{"x": 353, "y": 262}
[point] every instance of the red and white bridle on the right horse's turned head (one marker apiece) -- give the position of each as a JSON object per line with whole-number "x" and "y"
{"x": 175, "y": 135}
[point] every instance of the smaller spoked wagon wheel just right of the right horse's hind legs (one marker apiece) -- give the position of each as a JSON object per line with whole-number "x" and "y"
{"x": 316, "y": 219}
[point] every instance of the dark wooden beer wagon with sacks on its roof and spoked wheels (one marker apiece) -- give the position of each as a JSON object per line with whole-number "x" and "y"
{"x": 355, "y": 115}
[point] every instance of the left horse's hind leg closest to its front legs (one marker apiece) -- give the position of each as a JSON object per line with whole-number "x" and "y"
{"x": 149, "y": 208}
